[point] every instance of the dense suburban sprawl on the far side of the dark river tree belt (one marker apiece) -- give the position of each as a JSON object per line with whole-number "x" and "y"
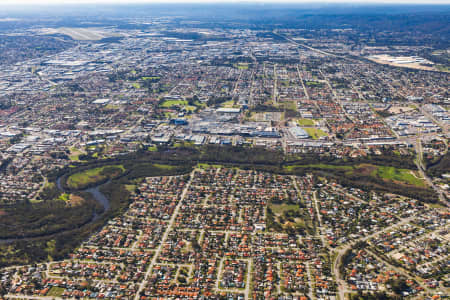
{"x": 111, "y": 105}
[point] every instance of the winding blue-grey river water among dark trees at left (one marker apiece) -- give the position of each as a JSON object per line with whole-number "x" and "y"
{"x": 94, "y": 191}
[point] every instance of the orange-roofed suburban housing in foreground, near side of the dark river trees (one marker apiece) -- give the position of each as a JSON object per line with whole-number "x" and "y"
{"x": 205, "y": 235}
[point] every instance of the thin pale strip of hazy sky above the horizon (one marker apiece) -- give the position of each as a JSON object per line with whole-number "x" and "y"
{"x": 45, "y": 2}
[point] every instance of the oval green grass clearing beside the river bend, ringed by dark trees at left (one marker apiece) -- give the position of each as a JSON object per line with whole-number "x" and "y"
{"x": 91, "y": 176}
